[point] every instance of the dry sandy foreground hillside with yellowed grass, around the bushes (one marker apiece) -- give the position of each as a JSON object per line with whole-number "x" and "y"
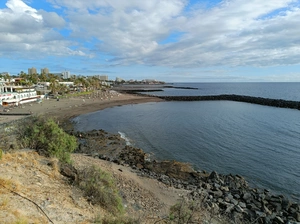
{"x": 33, "y": 191}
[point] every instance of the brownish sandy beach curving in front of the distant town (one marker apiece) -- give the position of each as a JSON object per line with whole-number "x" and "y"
{"x": 71, "y": 107}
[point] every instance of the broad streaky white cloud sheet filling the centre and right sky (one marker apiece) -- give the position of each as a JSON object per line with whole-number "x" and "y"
{"x": 234, "y": 32}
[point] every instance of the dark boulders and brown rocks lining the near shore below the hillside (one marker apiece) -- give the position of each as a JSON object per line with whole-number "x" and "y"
{"x": 229, "y": 195}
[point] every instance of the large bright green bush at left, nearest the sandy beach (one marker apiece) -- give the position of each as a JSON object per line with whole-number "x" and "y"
{"x": 45, "y": 136}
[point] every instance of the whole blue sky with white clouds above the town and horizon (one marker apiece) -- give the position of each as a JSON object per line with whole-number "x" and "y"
{"x": 167, "y": 40}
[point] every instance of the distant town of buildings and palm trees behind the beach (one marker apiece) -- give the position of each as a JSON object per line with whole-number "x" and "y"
{"x": 33, "y": 86}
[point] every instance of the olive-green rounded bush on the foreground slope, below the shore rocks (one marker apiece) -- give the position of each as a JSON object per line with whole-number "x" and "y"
{"x": 99, "y": 188}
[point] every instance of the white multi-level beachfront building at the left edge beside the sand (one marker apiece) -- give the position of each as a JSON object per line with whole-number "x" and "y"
{"x": 16, "y": 95}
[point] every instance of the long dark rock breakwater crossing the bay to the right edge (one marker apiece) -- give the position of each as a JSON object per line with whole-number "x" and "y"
{"x": 238, "y": 98}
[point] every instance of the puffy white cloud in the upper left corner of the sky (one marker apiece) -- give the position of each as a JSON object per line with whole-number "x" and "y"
{"x": 27, "y": 32}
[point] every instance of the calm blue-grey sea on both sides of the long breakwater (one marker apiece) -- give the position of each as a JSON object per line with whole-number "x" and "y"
{"x": 261, "y": 143}
